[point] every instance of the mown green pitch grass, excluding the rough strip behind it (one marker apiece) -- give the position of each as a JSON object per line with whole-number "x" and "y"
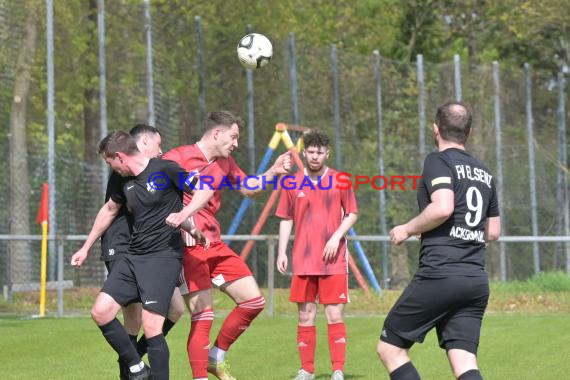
{"x": 513, "y": 346}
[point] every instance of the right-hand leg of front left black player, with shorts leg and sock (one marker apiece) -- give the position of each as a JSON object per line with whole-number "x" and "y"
{"x": 156, "y": 276}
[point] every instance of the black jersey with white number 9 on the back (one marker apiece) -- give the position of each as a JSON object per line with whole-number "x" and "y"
{"x": 457, "y": 247}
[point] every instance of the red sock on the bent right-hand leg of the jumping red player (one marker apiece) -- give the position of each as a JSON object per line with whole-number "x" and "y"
{"x": 238, "y": 321}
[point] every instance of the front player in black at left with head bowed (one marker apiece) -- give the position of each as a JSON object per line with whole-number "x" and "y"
{"x": 149, "y": 271}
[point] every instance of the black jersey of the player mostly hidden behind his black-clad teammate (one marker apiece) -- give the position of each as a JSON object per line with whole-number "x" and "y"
{"x": 115, "y": 240}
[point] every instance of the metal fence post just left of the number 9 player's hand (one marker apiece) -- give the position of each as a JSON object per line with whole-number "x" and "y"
{"x": 380, "y": 160}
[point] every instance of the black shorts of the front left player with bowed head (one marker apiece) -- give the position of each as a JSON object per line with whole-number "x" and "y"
{"x": 147, "y": 279}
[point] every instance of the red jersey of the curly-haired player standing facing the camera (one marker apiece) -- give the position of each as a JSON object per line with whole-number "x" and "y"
{"x": 317, "y": 210}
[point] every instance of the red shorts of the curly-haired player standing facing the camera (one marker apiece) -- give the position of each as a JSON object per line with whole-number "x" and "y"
{"x": 331, "y": 289}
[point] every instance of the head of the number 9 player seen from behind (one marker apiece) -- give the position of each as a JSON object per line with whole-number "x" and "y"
{"x": 454, "y": 122}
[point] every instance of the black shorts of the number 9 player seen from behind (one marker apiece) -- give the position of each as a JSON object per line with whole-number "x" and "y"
{"x": 453, "y": 305}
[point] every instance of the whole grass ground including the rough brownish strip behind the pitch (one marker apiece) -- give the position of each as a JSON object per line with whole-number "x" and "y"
{"x": 525, "y": 336}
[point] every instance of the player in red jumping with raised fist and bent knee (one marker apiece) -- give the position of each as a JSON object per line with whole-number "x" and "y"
{"x": 210, "y": 159}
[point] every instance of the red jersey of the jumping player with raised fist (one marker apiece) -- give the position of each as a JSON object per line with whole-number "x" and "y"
{"x": 192, "y": 159}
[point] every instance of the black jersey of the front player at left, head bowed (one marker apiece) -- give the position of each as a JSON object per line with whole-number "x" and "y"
{"x": 151, "y": 196}
